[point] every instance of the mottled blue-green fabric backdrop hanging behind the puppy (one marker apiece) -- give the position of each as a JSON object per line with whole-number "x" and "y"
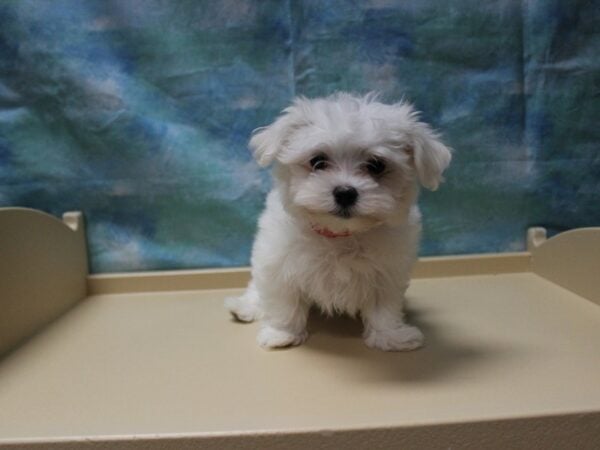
{"x": 137, "y": 112}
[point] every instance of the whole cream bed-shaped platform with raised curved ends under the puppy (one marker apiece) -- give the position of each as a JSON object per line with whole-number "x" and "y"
{"x": 152, "y": 360}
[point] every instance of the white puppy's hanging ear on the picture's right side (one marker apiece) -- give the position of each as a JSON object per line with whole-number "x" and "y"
{"x": 430, "y": 156}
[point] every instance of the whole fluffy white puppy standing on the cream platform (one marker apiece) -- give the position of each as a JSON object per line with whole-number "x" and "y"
{"x": 341, "y": 226}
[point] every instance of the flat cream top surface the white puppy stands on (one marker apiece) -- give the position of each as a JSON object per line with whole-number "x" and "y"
{"x": 498, "y": 346}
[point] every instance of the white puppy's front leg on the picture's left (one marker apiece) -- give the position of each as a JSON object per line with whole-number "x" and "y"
{"x": 285, "y": 315}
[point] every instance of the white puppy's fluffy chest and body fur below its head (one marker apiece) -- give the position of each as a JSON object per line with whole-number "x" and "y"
{"x": 339, "y": 274}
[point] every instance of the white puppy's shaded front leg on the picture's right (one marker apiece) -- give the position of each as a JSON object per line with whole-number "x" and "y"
{"x": 384, "y": 323}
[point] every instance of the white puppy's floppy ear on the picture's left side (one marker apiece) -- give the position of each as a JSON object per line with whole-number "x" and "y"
{"x": 267, "y": 142}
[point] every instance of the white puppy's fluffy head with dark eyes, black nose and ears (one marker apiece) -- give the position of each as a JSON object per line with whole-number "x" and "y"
{"x": 348, "y": 164}
